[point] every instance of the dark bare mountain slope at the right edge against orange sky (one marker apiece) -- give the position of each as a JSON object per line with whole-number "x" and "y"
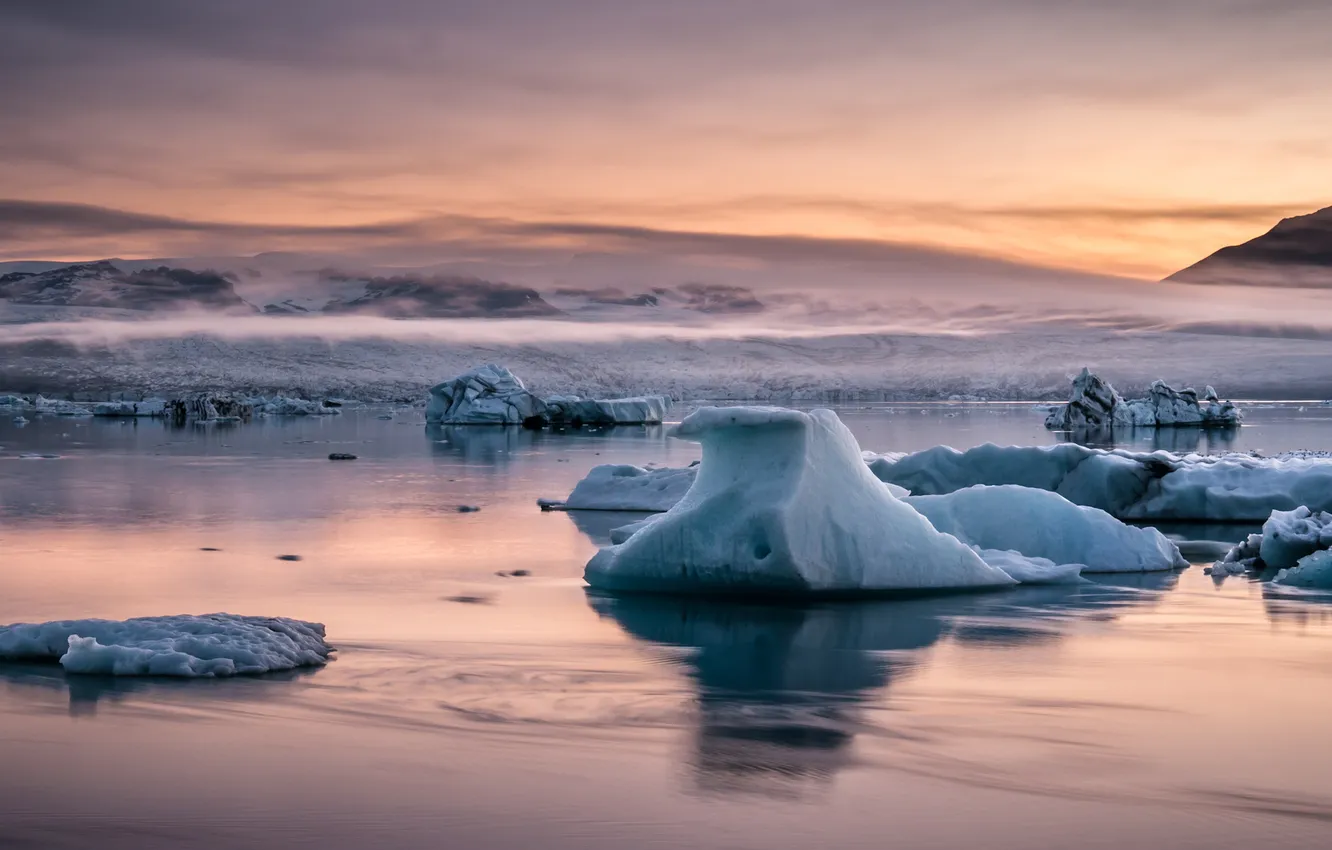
{"x": 1298, "y": 252}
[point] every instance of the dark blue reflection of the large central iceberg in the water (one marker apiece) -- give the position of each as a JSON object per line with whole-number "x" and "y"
{"x": 781, "y": 689}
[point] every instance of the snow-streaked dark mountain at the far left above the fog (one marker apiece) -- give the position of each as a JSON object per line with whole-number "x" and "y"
{"x": 105, "y": 284}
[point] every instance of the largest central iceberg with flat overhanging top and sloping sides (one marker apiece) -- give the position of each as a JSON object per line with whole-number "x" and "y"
{"x": 785, "y": 504}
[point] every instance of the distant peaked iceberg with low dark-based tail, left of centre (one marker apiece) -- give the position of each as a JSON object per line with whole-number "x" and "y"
{"x": 492, "y": 395}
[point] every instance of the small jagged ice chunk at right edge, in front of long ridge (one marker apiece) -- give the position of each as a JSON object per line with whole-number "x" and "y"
{"x": 1297, "y": 543}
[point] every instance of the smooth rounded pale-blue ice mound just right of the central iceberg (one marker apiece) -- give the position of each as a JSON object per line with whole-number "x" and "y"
{"x": 1041, "y": 524}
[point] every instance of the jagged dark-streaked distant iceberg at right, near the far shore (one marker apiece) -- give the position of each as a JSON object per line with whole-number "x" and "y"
{"x": 1096, "y": 406}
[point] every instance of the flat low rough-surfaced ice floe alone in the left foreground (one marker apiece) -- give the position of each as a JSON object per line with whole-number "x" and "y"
{"x": 187, "y": 645}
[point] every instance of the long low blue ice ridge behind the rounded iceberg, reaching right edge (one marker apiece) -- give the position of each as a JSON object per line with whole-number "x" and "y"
{"x": 1130, "y": 486}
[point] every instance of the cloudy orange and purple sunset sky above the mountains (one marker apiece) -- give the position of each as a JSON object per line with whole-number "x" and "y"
{"x": 1128, "y": 138}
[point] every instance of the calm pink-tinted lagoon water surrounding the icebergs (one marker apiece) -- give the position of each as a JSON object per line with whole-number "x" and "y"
{"x": 1160, "y": 711}
